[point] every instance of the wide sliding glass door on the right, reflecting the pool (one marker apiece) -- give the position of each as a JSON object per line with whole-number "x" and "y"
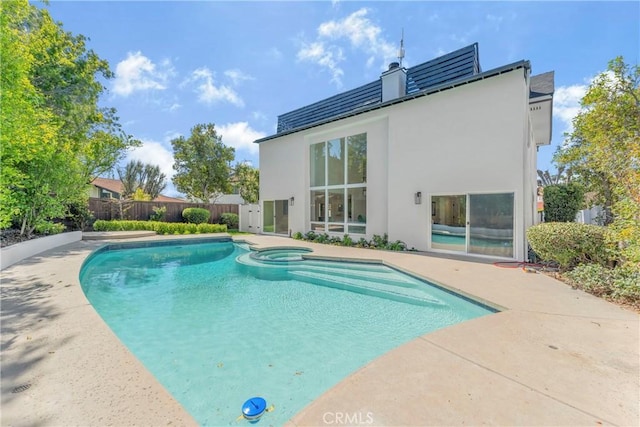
{"x": 473, "y": 223}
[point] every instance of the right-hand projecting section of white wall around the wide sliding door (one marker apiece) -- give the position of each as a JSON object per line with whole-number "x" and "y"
{"x": 468, "y": 139}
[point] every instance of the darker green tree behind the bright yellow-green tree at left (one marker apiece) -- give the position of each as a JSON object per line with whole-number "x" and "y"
{"x": 67, "y": 74}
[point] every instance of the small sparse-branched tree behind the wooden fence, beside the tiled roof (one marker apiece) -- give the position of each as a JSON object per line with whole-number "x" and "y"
{"x": 139, "y": 179}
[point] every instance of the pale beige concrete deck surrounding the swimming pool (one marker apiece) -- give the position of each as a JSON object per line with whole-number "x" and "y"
{"x": 554, "y": 356}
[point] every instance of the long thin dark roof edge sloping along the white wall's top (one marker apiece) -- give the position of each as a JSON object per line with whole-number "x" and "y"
{"x": 431, "y": 89}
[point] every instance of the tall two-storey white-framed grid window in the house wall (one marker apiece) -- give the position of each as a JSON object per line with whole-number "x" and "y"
{"x": 338, "y": 185}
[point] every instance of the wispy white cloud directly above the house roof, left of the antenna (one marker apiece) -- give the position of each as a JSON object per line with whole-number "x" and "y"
{"x": 362, "y": 35}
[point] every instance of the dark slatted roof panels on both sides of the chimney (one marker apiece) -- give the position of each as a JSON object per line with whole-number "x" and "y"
{"x": 456, "y": 65}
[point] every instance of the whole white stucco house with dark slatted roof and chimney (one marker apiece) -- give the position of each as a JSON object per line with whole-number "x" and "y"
{"x": 441, "y": 156}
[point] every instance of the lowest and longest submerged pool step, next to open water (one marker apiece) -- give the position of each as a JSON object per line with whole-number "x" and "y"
{"x": 396, "y": 293}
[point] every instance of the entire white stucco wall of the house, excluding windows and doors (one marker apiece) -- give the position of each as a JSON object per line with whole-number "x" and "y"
{"x": 474, "y": 138}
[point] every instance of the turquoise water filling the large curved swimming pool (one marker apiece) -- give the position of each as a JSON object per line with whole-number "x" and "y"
{"x": 216, "y": 326}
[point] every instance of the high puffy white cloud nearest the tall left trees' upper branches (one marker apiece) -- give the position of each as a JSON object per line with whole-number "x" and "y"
{"x": 139, "y": 73}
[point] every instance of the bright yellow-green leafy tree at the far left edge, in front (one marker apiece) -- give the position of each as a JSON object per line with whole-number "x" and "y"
{"x": 35, "y": 172}
